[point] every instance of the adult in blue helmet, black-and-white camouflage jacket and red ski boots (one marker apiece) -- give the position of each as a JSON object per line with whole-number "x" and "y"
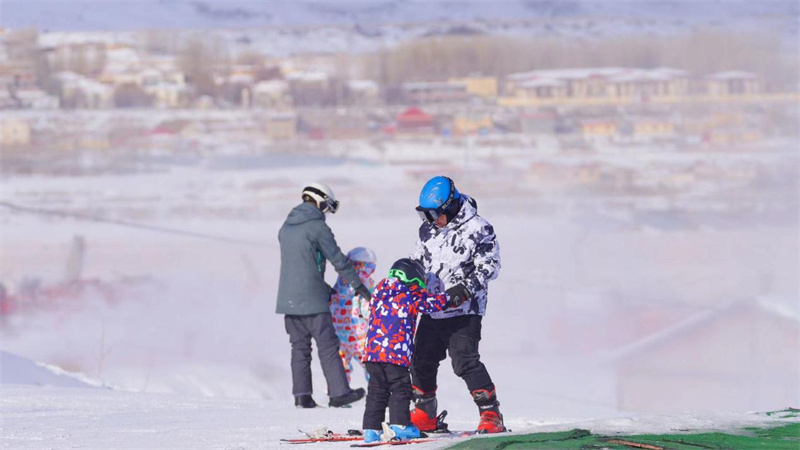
{"x": 460, "y": 252}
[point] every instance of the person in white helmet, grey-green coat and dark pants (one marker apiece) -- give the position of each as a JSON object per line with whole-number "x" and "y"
{"x": 306, "y": 243}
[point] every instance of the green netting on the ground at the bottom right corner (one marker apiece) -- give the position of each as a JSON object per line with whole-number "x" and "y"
{"x": 778, "y": 438}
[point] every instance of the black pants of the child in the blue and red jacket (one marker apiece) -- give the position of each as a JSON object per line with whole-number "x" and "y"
{"x": 389, "y": 385}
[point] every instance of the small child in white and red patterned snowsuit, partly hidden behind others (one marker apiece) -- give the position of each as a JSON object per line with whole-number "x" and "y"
{"x": 349, "y": 312}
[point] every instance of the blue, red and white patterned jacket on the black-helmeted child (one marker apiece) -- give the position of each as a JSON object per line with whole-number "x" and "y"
{"x": 393, "y": 319}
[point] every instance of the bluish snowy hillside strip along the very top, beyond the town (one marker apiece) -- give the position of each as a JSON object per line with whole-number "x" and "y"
{"x": 146, "y": 14}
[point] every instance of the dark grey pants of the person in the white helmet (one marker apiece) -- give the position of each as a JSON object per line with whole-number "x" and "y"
{"x": 301, "y": 330}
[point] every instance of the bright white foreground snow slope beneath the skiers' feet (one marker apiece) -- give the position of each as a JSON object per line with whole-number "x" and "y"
{"x": 37, "y": 417}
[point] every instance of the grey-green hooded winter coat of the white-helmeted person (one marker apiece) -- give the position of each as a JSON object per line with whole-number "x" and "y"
{"x": 306, "y": 242}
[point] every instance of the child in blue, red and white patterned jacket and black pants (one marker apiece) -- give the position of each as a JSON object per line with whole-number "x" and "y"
{"x": 395, "y": 304}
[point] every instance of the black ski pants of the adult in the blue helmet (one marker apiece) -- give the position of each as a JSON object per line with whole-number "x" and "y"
{"x": 460, "y": 337}
